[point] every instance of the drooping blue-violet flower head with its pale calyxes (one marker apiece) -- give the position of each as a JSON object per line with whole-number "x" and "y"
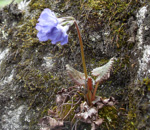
{"x": 53, "y": 28}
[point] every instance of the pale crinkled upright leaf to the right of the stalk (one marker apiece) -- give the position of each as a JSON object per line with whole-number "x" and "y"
{"x": 103, "y": 72}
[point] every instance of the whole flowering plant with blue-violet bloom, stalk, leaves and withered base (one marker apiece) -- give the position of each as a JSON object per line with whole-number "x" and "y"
{"x": 79, "y": 102}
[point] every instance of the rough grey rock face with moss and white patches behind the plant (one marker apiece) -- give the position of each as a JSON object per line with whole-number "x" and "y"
{"x": 31, "y": 72}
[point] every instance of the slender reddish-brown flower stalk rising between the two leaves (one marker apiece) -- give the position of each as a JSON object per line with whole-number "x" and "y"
{"x": 82, "y": 52}
